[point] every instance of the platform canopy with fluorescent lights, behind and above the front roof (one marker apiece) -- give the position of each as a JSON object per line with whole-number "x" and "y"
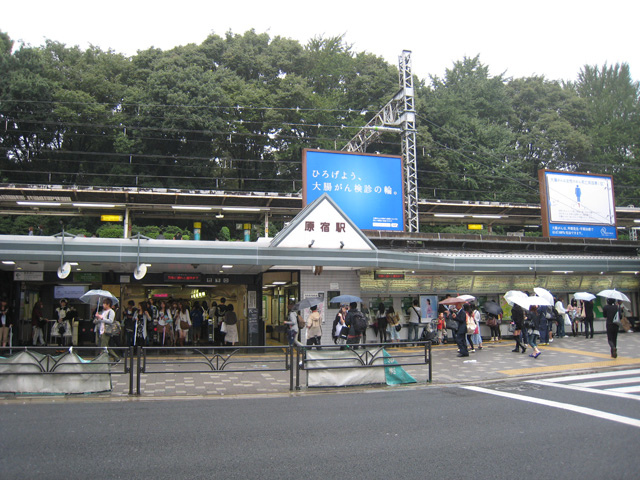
{"x": 251, "y": 207}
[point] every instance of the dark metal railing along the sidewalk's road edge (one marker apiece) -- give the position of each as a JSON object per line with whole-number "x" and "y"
{"x": 162, "y": 360}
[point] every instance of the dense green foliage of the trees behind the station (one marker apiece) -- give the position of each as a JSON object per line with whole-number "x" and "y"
{"x": 235, "y": 112}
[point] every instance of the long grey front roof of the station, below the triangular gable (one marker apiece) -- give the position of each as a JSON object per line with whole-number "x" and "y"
{"x": 44, "y": 253}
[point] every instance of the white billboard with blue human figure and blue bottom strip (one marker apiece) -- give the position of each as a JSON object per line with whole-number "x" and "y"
{"x": 578, "y": 205}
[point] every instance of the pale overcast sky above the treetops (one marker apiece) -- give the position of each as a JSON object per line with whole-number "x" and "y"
{"x": 554, "y": 38}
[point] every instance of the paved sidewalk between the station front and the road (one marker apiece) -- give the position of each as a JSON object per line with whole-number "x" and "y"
{"x": 495, "y": 361}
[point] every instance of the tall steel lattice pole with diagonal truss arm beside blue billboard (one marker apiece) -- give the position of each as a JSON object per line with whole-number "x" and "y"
{"x": 399, "y": 115}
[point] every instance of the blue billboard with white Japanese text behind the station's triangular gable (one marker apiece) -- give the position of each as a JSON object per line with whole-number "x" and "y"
{"x": 368, "y": 188}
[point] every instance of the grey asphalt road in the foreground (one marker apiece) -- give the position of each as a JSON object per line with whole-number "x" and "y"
{"x": 412, "y": 432}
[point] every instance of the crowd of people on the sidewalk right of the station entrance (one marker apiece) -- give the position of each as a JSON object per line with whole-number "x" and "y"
{"x": 531, "y": 327}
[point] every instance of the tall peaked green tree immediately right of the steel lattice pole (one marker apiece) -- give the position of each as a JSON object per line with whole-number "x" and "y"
{"x": 470, "y": 144}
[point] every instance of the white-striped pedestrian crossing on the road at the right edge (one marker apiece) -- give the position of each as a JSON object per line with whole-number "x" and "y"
{"x": 620, "y": 383}
